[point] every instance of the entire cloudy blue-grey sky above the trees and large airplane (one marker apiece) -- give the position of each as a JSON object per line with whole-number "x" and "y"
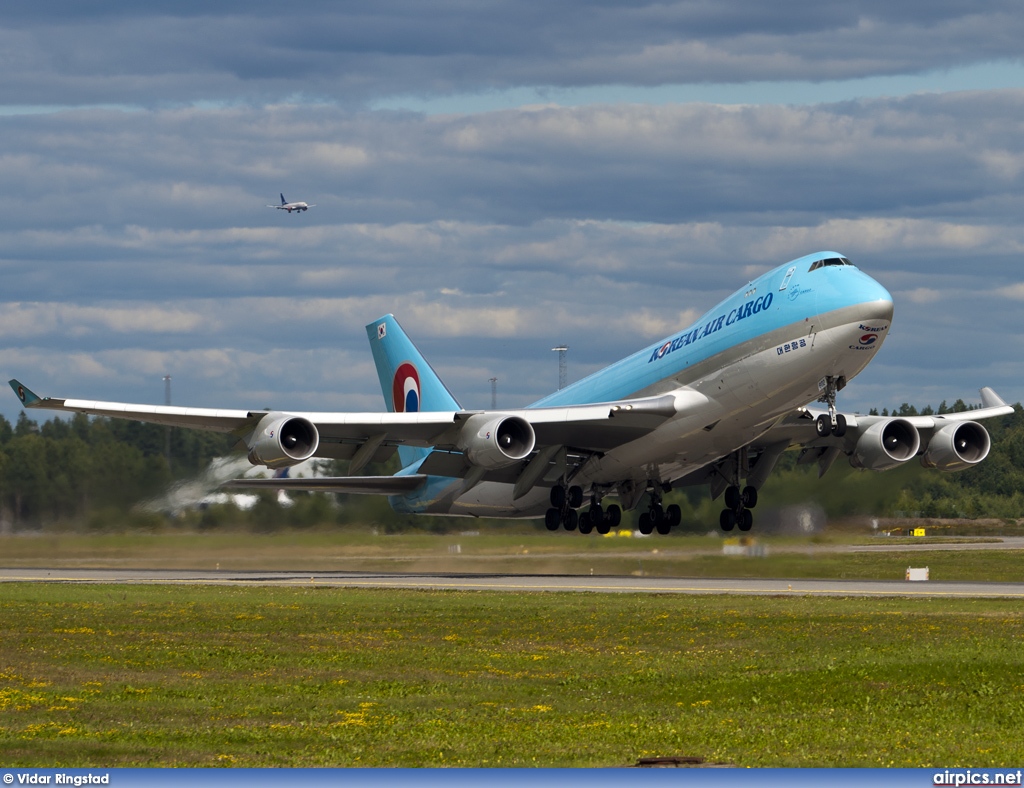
{"x": 504, "y": 178}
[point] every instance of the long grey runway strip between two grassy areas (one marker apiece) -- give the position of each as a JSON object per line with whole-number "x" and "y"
{"x": 502, "y": 583}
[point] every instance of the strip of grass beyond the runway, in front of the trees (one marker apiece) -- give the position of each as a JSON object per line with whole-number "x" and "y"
{"x": 498, "y": 552}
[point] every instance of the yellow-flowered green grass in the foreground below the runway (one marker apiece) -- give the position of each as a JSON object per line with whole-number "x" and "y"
{"x": 147, "y": 676}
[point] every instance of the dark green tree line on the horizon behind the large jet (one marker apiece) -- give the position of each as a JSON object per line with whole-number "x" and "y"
{"x": 86, "y": 471}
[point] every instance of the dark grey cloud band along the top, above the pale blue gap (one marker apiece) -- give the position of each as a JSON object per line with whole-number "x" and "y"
{"x": 74, "y": 54}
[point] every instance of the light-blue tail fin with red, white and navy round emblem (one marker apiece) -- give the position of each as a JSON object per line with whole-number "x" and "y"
{"x": 408, "y": 382}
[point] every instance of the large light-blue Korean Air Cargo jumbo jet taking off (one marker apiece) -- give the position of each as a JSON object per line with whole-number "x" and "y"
{"x": 716, "y": 404}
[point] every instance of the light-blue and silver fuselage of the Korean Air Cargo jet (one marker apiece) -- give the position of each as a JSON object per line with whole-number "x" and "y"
{"x": 760, "y": 354}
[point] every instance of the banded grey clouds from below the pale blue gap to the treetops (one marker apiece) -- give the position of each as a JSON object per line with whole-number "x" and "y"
{"x": 139, "y": 244}
